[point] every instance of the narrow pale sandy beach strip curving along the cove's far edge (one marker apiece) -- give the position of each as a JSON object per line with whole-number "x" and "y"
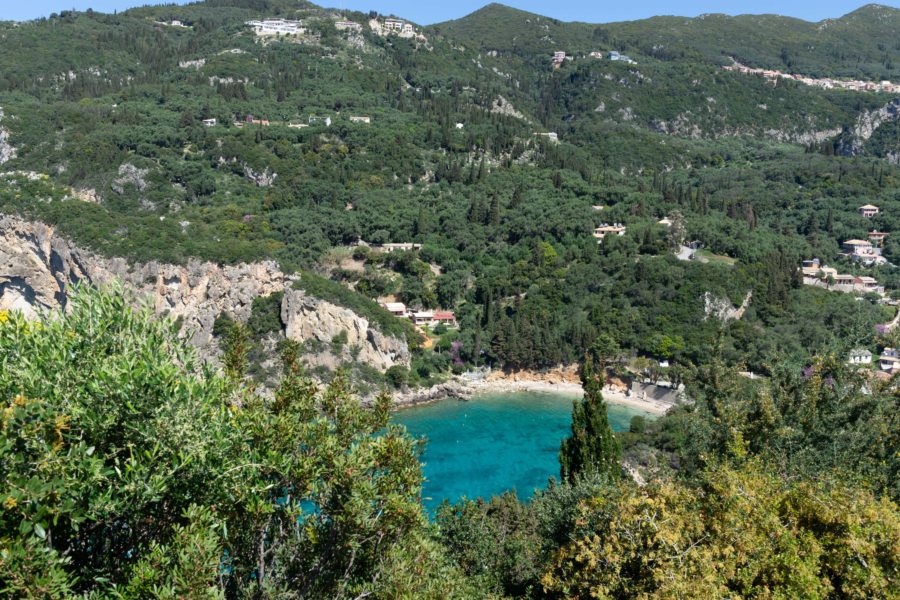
{"x": 466, "y": 390}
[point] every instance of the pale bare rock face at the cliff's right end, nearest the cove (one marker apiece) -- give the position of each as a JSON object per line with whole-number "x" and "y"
{"x": 308, "y": 319}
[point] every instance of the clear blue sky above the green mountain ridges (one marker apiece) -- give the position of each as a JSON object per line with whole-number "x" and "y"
{"x": 425, "y": 12}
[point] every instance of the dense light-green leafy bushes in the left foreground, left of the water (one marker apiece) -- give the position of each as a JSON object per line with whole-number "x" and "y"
{"x": 129, "y": 473}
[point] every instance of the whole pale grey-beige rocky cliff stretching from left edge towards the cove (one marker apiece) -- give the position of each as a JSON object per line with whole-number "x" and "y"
{"x": 38, "y": 269}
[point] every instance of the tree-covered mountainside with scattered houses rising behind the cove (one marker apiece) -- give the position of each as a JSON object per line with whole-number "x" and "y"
{"x": 174, "y": 132}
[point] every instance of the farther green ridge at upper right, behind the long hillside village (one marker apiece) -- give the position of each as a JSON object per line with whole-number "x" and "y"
{"x": 864, "y": 43}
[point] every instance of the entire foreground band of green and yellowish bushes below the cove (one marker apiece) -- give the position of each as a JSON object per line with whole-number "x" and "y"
{"x": 130, "y": 473}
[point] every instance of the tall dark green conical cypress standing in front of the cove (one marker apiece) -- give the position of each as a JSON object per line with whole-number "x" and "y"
{"x": 593, "y": 447}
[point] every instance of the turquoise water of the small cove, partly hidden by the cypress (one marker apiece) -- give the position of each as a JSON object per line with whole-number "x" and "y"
{"x": 494, "y": 443}
